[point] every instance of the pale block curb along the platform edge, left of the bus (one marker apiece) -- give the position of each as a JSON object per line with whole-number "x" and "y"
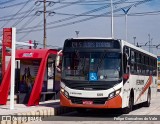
{"x": 36, "y": 115}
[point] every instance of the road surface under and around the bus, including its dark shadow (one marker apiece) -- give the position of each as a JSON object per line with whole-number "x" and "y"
{"x": 139, "y": 115}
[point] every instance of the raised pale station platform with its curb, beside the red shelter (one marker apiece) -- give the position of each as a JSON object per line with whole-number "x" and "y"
{"x": 20, "y": 112}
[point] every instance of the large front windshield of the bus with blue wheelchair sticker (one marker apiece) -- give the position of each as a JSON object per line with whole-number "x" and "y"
{"x": 106, "y": 66}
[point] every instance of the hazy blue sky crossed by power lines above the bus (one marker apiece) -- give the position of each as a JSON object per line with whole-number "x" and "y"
{"x": 91, "y": 18}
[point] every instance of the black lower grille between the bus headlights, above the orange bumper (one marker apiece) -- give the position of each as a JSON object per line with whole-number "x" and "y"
{"x": 77, "y": 100}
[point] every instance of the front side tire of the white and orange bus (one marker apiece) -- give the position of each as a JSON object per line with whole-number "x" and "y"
{"x": 130, "y": 105}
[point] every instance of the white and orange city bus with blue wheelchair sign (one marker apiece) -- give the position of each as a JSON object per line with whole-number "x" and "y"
{"x": 106, "y": 73}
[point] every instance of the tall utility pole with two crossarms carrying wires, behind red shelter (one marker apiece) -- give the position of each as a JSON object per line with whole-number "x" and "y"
{"x": 50, "y": 3}
